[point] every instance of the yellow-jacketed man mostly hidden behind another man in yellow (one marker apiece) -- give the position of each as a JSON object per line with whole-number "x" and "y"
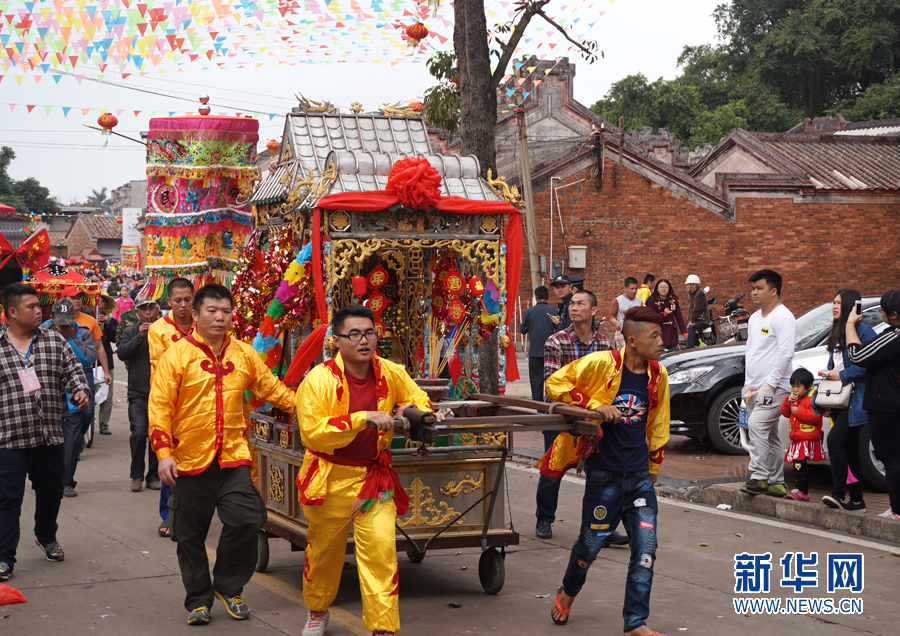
{"x": 162, "y": 335}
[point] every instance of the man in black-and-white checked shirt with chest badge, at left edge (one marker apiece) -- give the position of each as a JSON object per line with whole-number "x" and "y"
{"x": 36, "y": 369}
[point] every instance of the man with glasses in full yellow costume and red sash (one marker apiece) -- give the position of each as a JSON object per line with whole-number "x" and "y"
{"x": 344, "y": 410}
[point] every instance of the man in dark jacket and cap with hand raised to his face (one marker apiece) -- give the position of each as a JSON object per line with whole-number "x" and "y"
{"x": 134, "y": 351}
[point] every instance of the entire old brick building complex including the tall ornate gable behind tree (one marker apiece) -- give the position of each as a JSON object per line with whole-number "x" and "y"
{"x": 820, "y": 204}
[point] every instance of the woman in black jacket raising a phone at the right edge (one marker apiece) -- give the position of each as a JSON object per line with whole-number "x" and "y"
{"x": 881, "y": 360}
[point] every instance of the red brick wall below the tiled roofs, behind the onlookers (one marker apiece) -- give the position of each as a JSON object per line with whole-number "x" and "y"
{"x": 640, "y": 227}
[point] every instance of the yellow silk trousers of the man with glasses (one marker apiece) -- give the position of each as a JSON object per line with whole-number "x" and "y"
{"x": 376, "y": 551}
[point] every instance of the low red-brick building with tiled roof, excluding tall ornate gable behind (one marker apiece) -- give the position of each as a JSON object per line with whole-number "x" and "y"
{"x": 823, "y": 210}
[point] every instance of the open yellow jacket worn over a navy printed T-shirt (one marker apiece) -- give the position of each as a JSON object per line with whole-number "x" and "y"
{"x": 593, "y": 381}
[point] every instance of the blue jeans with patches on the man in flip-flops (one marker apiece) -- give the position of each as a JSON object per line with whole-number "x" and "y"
{"x": 610, "y": 498}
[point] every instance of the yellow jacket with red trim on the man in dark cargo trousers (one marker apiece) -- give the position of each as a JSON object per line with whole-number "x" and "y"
{"x": 196, "y": 402}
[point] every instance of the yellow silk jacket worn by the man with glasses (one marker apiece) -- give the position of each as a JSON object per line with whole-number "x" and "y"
{"x": 323, "y": 404}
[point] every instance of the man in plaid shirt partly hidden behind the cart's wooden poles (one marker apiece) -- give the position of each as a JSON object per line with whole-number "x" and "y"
{"x": 578, "y": 339}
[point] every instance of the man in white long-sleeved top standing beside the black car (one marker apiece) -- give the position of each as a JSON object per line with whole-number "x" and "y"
{"x": 771, "y": 334}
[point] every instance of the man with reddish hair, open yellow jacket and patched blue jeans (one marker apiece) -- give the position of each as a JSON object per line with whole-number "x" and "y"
{"x": 630, "y": 390}
